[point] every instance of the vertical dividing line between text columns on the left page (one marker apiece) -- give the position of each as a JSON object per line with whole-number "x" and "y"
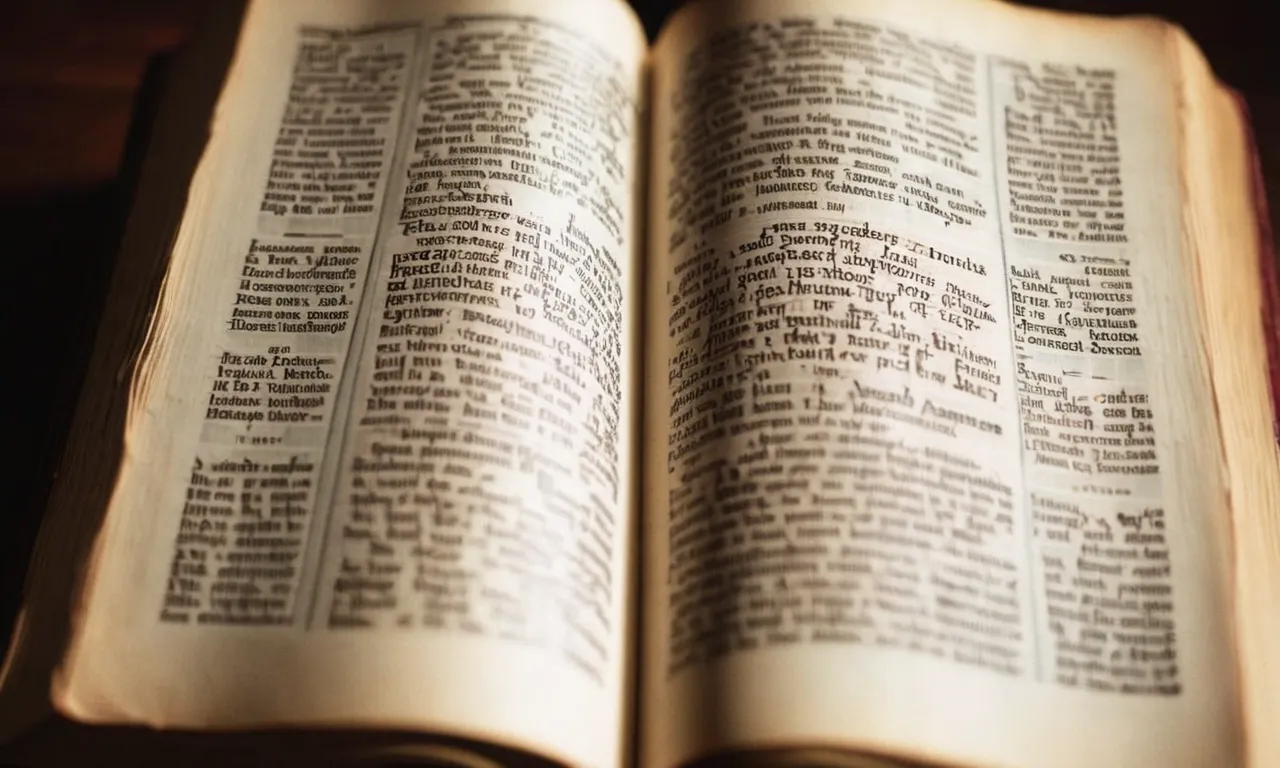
{"x": 350, "y": 376}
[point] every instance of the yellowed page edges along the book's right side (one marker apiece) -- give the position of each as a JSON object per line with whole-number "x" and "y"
{"x": 1223, "y": 225}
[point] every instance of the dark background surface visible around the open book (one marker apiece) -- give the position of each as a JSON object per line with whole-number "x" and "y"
{"x": 71, "y": 77}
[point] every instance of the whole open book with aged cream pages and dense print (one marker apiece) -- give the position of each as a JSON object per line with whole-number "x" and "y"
{"x": 830, "y": 383}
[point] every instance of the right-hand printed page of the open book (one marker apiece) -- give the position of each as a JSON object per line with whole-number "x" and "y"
{"x": 932, "y": 460}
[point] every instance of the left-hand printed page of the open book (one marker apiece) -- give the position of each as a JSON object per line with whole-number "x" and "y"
{"x": 378, "y": 458}
